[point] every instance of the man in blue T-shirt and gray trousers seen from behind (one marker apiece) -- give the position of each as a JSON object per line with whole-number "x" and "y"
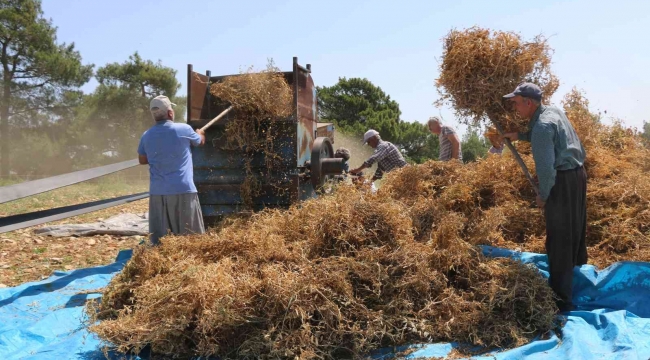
{"x": 173, "y": 199}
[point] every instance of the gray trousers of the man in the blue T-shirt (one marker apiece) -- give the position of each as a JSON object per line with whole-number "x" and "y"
{"x": 179, "y": 214}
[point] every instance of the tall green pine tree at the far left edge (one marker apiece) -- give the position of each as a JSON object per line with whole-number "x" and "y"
{"x": 37, "y": 72}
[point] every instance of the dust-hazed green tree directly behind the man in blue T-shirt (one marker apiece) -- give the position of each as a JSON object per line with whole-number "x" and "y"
{"x": 116, "y": 114}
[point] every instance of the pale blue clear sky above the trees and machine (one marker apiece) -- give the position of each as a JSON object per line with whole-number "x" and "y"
{"x": 601, "y": 47}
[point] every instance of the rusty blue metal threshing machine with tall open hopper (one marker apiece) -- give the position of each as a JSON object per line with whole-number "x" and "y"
{"x": 307, "y": 160}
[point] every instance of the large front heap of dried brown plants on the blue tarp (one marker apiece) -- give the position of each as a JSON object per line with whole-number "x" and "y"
{"x": 336, "y": 277}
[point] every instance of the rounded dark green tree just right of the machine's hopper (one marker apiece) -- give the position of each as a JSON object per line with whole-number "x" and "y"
{"x": 356, "y": 105}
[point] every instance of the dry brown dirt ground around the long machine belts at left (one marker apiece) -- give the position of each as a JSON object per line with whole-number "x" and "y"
{"x": 26, "y": 257}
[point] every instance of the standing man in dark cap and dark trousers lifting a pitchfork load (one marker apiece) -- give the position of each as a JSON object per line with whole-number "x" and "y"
{"x": 559, "y": 158}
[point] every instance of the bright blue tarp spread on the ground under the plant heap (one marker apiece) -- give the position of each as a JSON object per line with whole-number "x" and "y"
{"x": 44, "y": 320}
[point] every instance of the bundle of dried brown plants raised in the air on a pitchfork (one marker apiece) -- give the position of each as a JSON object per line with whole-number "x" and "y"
{"x": 479, "y": 66}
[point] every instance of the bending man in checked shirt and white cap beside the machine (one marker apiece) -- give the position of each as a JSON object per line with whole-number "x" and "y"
{"x": 387, "y": 155}
